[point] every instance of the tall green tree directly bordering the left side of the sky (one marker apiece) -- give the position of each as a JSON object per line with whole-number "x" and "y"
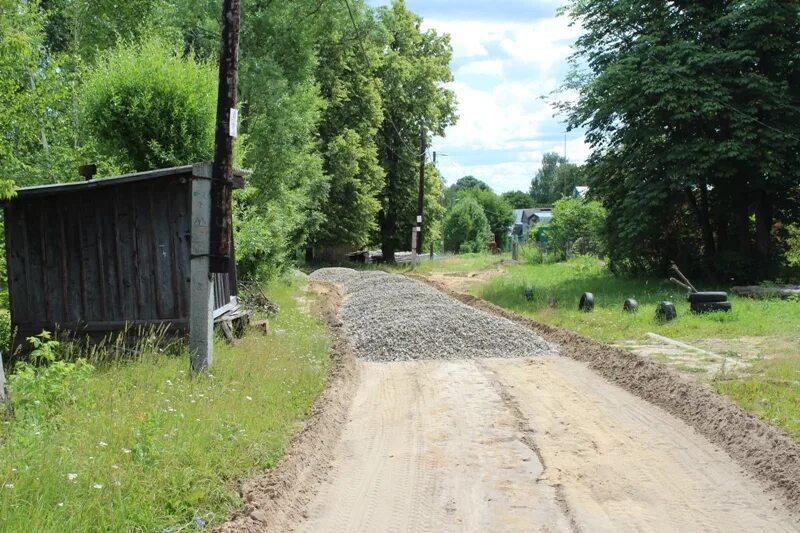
{"x": 414, "y": 67}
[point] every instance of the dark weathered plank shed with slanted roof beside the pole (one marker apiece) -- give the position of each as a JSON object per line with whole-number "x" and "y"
{"x": 100, "y": 255}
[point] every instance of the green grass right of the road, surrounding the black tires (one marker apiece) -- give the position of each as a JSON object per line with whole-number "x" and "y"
{"x": 770, "y": 388}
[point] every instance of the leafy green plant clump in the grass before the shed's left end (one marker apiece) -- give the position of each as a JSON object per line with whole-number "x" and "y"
{"x": 48, "y": 383}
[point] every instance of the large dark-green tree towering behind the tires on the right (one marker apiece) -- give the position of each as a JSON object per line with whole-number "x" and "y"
{"x": 689, "y": 111}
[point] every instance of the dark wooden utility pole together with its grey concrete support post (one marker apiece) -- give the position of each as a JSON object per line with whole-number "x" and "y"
{"x": 211, "y": 199}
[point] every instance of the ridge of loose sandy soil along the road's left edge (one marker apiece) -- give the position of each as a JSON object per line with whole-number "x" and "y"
{"x": 276, "y": 499}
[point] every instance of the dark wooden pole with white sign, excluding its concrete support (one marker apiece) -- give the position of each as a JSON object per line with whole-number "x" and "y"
{"x": 227, "y": 129}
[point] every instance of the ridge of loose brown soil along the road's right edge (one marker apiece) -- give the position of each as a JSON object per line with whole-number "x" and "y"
{"x": 764, "y": 451}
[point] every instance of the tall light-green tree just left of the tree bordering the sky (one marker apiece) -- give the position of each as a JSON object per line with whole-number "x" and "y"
{"x": 348, "y": 131}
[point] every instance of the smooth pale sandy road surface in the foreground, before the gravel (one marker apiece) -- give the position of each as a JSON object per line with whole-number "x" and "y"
{"x": 538, "y": 444}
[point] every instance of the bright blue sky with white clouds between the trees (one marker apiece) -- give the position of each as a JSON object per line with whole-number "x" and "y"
{"x": 507, "y": 56}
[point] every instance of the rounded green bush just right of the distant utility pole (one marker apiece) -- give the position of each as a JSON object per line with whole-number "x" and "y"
{"x": 466, "y": 228}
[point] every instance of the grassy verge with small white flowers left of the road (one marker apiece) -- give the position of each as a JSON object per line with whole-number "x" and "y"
{"x": 146, "y": 447}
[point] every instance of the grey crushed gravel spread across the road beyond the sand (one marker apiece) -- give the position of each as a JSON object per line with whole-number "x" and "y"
{"x": 394, "y": 318}
